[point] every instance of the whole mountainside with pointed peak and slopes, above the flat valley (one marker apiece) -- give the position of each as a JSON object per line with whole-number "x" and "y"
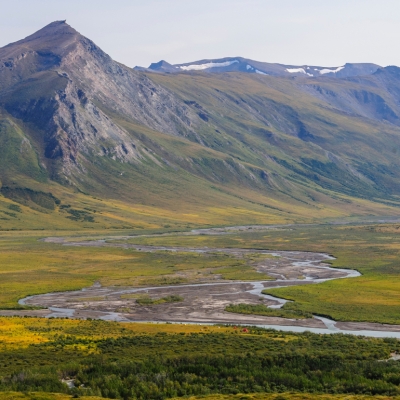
{"x": 86, "y": 142}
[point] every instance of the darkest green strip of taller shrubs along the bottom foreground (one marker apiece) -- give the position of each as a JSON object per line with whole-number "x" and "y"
{"x": 160, "y": 379}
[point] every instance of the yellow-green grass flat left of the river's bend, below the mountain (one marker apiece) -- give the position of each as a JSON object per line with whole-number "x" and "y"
{"x": 30, "y": 267}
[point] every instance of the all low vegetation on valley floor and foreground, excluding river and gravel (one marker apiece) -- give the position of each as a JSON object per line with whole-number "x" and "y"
{"x": 160, "y": 361}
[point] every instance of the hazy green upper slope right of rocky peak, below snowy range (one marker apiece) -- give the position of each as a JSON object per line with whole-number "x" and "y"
{"x": 276, "y": 117}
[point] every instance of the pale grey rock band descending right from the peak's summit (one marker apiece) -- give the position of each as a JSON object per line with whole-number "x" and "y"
{"x": 125, "y": 91}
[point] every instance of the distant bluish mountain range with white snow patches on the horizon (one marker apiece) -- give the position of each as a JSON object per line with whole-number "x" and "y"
{"x": 230, "y": 64}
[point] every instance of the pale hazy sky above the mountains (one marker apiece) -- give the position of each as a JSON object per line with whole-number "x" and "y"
{"x": 296, "y": 32}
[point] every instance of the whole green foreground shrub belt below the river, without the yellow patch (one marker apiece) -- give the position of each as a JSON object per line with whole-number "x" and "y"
{"x": 141, "y": 366}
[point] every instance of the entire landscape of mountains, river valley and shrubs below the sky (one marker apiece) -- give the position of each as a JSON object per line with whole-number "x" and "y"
{"x": 223, "y": 229}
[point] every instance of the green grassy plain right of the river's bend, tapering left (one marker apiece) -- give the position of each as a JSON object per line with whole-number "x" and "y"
{"x": 372, "y": 249}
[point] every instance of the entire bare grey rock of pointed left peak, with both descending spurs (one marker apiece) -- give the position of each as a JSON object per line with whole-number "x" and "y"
{"x": 69, "y": 77}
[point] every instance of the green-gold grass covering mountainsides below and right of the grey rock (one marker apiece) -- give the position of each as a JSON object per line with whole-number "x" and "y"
{"x": 247, "y": 171}
